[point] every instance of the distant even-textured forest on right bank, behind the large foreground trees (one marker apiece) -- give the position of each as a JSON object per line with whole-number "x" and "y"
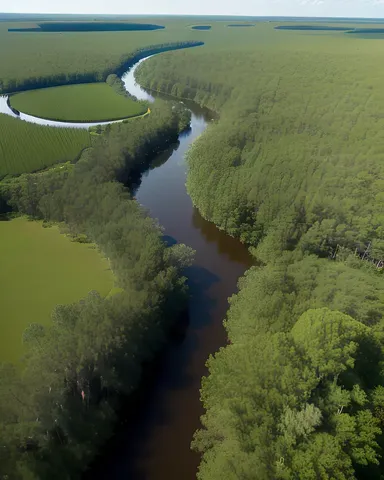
{"x": 279, "y": 155}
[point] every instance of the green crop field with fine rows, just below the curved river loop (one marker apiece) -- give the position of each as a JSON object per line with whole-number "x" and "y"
{"x": 26, "y": 147}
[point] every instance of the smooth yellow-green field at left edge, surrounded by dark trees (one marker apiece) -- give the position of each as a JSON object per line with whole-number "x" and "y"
{"x": 41, "y": 268}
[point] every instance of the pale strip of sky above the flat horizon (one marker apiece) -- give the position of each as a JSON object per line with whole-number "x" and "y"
{"x": 344, "y": 8}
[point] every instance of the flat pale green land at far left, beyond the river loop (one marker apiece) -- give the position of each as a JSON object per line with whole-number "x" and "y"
{"x": 33, "y": 60}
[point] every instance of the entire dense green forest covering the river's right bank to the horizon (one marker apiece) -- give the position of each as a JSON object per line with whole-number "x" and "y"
{"x": 292, "y": 168}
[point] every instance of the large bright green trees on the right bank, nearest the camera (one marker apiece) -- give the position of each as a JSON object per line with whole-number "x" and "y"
{"x": 296, "y": 404}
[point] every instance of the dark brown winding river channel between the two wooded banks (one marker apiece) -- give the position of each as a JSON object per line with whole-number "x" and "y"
{"x": 157, "y": 445}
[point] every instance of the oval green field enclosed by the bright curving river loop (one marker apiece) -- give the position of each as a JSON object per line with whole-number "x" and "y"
{"x": 91, "y": 102}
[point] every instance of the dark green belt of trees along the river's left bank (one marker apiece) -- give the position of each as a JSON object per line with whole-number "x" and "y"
{"x": 58, "y": 408}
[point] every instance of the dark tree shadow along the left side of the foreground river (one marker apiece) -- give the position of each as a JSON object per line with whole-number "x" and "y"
{"x": 148, "y": 409}
